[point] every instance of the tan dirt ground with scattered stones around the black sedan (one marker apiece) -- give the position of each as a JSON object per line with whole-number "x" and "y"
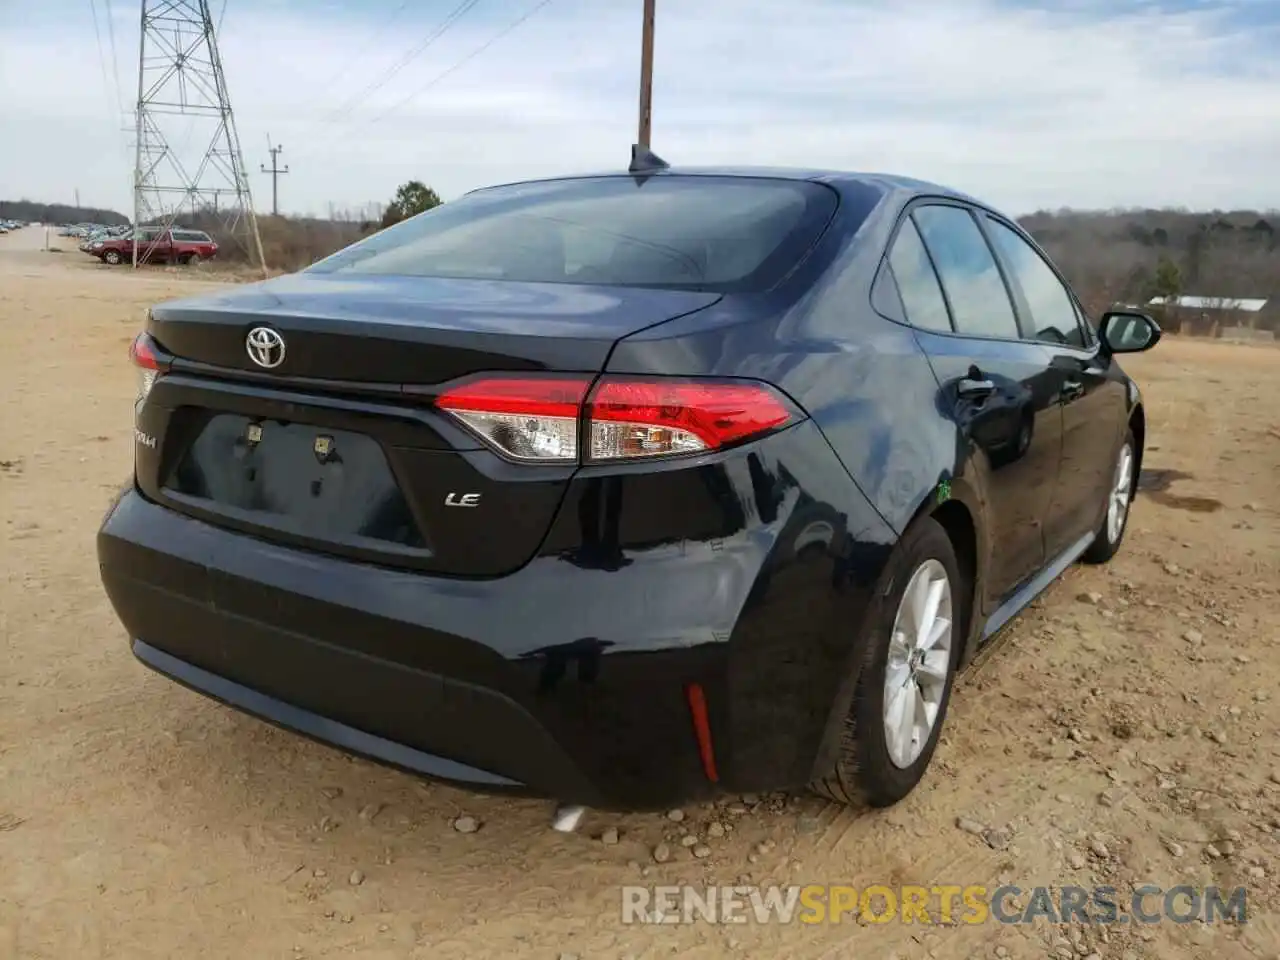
{"x": 1126, "y": 732}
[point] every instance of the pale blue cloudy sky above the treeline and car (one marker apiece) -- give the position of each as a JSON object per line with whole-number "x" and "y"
{"x": 1027, "y": 103}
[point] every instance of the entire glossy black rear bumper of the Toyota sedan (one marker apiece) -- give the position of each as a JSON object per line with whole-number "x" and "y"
{"x": 566, "y": 679}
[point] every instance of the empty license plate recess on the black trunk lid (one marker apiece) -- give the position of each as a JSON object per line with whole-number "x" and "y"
{"x": 307, "y": 481}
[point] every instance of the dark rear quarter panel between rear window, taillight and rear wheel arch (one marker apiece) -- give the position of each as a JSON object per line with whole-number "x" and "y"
{"x": 862, "y": 378}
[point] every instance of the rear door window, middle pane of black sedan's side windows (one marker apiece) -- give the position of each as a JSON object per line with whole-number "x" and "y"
{"x": 976, "y": 291}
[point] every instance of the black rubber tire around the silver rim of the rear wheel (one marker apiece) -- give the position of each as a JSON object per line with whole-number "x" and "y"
{"x": 865, "y": 772}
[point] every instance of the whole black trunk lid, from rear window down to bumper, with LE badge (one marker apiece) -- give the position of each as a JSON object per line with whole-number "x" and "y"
{"x": 339, "y": 447}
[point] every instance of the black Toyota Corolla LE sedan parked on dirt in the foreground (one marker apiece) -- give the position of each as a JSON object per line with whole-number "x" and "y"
{"x": 627, "y": 490}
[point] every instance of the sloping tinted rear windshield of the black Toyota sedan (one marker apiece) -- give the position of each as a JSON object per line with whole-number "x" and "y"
{"x": 711, "y": 234}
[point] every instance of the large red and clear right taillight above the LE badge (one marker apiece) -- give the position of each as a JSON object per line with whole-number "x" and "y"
{"x": 540, "y": 419}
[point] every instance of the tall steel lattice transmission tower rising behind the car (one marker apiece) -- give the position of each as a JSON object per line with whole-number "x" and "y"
{"x": 189, "y": 161}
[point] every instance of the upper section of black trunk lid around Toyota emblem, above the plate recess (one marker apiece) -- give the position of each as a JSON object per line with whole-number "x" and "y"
{"x": 414, "y": 331}
